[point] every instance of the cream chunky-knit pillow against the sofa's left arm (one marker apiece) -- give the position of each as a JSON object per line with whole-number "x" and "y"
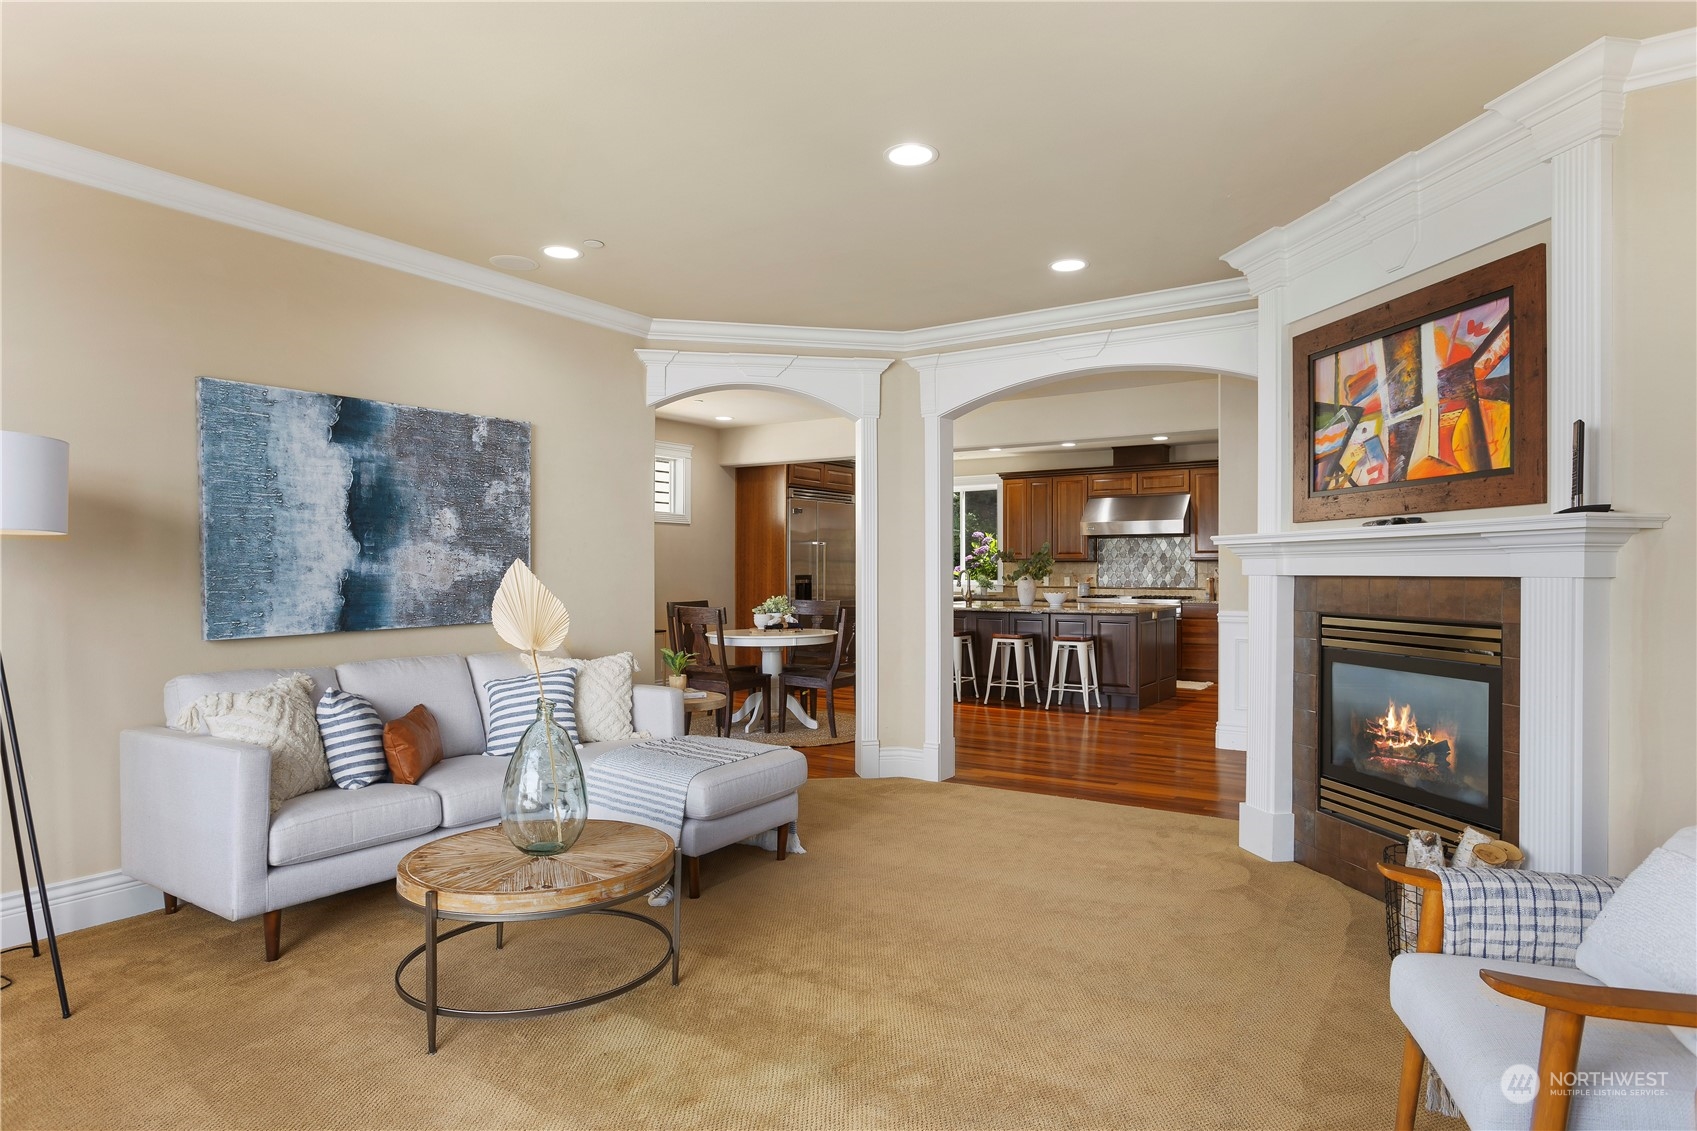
{"x": 281, "y": 717}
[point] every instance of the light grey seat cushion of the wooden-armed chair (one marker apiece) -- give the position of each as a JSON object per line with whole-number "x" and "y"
{"x": 1474, "y": 1035}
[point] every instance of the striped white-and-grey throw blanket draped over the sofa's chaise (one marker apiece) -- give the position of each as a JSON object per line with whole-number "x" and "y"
{"x": 649, "y": 782}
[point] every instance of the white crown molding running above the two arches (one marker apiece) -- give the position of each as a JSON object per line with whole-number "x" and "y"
{"x": 977, "y": 332}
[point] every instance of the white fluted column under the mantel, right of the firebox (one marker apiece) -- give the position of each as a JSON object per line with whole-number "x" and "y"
{"x": 1565, "y": 724}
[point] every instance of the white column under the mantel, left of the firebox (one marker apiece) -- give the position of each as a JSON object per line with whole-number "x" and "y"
{"x": 1265, "y": 821}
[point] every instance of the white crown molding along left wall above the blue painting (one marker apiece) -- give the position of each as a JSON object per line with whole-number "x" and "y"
{"x": 140, "y": 183}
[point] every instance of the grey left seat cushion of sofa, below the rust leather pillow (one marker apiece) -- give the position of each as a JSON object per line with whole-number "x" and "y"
{"x": 332, "y": 823}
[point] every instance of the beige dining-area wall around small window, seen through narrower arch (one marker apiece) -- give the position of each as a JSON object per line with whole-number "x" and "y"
{"x": 698, "y": 560}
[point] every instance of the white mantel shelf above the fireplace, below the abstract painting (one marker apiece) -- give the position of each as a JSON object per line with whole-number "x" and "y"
{"x": 1538, "y": 546}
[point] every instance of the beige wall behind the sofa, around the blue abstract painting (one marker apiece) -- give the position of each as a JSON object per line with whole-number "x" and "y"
{"x": 113, "y": 308}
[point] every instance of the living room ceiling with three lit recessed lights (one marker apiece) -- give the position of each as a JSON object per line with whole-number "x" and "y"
{"x": 731, "y": 154}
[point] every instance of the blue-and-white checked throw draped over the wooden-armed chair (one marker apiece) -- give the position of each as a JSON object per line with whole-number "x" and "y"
{"x": 1518, "y": 918}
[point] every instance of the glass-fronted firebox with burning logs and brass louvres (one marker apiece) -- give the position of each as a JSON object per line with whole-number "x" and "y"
{"x": 1411, "y": 724}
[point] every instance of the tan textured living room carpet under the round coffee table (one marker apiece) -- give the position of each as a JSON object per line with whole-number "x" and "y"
{"x": 943, "y": 957}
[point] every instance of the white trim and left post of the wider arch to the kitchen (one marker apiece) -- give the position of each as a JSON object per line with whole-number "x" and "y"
{"x": 953, "y": 385}
